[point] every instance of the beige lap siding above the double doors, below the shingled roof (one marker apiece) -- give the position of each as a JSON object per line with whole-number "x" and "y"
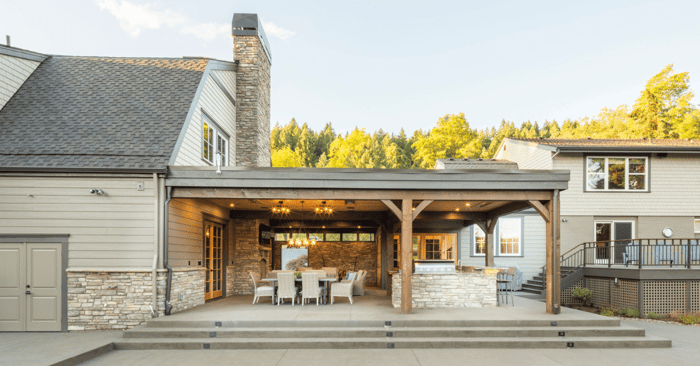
{"x": 115, "y": 230}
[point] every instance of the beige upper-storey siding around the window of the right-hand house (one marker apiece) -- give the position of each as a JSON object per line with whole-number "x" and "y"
{"x": 674, "y": 183}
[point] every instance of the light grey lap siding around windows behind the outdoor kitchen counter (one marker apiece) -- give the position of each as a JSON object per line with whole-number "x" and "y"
{"x": 534, "y": 248}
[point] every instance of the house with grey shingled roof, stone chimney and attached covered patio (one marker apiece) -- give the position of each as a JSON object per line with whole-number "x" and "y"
{"x": 133, "y": 188}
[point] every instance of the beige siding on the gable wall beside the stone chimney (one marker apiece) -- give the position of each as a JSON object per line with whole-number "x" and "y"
{"x": 215, "y": 103}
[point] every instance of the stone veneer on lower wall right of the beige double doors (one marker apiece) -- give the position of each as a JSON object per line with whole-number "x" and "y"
{"x": 102, "y": 300}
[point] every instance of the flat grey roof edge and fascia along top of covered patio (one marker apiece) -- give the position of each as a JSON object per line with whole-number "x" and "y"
{"x": 363, "y": 179}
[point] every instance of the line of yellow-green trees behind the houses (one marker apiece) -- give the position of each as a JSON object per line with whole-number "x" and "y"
{"x": 664, "y": 110}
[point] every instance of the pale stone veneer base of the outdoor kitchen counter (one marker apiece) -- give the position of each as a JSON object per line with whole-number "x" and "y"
{"x": 456, "y": 290}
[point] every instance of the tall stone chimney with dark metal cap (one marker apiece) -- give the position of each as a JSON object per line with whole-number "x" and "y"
{"x": 252, "y": 51}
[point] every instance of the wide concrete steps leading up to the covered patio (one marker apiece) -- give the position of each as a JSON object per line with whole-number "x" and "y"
{"x": 168, "y": 334}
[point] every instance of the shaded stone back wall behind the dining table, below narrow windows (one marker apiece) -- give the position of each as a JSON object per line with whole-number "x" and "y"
{"x": 344, "y": 255}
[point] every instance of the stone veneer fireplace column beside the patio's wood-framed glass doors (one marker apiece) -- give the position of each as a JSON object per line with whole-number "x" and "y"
{"x": 245, "y": 256}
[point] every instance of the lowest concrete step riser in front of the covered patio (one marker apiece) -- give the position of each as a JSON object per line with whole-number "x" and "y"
{"x": 499, "y": 344}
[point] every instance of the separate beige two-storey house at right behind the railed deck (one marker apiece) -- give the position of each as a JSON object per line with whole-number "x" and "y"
{"x": 620, "y": 189}
